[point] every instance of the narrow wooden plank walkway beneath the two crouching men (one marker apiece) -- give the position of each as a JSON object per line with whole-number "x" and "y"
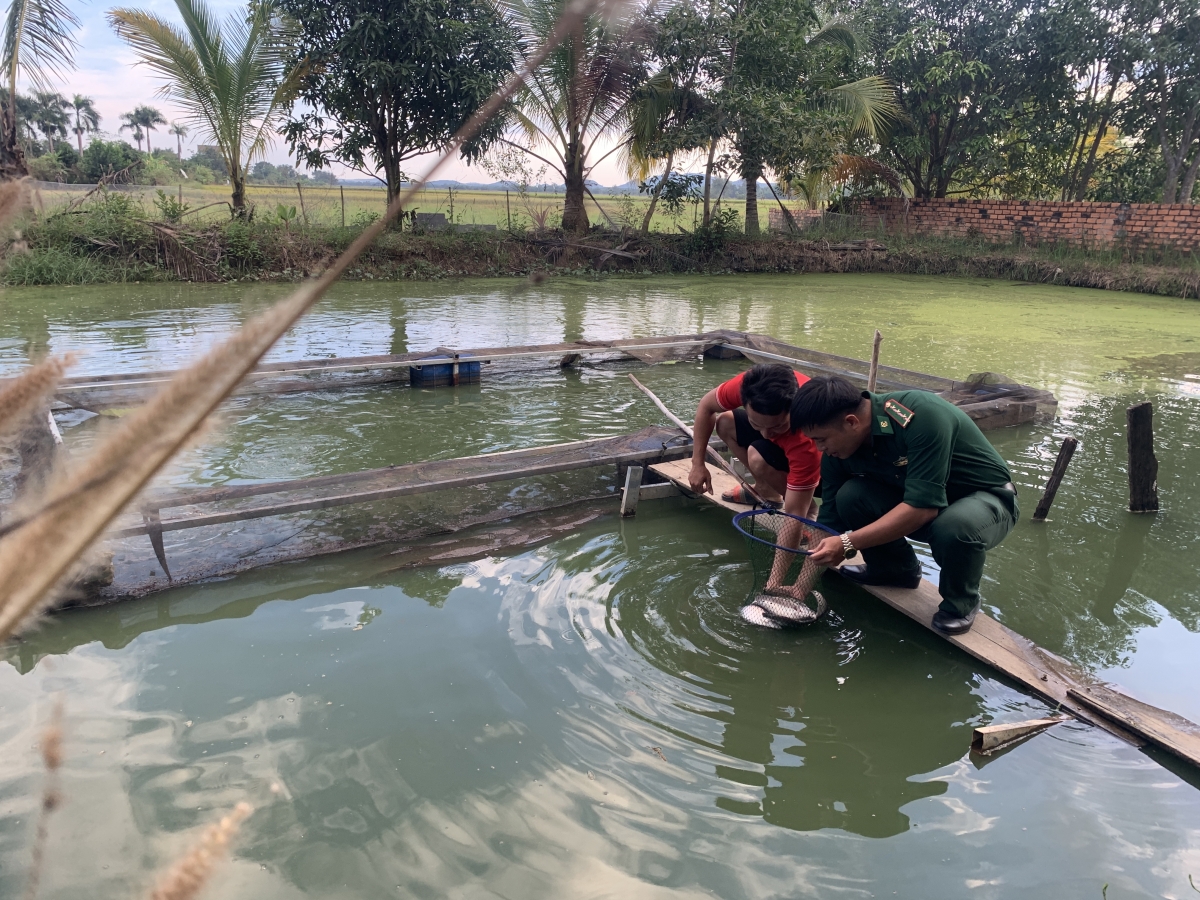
{"x": 1037, "y": 670}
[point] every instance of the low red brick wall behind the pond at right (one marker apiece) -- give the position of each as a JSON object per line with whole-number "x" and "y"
{"x": 1137, "y": 225}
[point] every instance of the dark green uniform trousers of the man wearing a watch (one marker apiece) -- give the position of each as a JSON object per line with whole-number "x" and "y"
{"x": 961, "y": 537}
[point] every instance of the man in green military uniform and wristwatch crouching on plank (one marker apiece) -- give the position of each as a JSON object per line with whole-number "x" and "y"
{"x": 901, "y": 465}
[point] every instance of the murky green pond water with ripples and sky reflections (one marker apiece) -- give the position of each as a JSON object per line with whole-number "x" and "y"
{"x": 591, "y": 718}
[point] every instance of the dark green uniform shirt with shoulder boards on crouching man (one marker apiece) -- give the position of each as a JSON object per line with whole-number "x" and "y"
{"x": 922, "y": 445}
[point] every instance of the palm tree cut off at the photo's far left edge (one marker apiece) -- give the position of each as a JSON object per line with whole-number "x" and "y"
{"x": 39, "y": 43}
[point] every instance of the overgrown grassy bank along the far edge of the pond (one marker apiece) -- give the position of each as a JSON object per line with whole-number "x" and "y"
{"x": 115, "y": 239}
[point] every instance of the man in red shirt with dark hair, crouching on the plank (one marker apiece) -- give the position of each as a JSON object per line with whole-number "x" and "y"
{"x": 752, "y": 415}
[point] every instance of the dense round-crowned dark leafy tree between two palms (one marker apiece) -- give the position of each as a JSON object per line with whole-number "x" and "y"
{"x": 386, "y": 81}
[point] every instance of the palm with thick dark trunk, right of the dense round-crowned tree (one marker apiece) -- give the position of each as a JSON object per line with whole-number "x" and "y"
{"x": 578, "y": 99}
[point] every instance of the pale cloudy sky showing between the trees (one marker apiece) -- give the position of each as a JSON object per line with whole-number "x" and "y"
{"x": 107, "y": 73}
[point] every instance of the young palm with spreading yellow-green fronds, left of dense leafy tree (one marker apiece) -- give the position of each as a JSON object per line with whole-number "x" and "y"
{"x": 232, "y": 79}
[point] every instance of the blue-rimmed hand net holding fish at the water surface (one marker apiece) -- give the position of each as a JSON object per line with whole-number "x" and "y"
{"x": 784, "y": 574}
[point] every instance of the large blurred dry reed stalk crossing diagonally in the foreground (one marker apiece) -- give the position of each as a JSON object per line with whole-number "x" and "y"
{"x": 38, "y": 556}
